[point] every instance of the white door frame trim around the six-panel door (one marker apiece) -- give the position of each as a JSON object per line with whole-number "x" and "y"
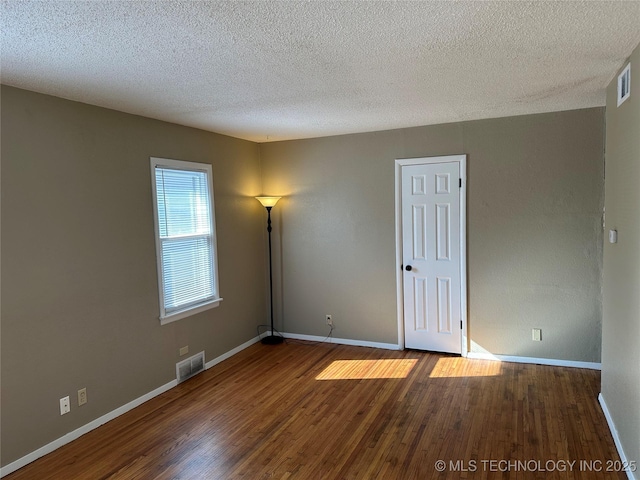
{"x": 402, "y": 162}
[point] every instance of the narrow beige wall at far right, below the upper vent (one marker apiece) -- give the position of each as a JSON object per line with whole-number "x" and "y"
{"x": 621, "y": 279}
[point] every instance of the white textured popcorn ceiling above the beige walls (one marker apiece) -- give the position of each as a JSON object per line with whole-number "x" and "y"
{"x": 270, "y": 70}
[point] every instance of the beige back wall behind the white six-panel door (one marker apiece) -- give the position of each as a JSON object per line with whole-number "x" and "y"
{"x": 535, "y": 197}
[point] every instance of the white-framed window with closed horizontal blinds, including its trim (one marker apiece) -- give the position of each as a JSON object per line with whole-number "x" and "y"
{"x": 185, "y": 238}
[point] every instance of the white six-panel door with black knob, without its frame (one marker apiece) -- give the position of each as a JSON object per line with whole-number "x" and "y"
{"x": 431, "y": 256}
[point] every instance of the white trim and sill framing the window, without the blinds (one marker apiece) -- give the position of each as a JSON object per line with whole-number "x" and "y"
{"x": 192, "y": 310}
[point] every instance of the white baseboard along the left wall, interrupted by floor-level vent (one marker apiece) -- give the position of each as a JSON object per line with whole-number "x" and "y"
{"x": 69, "y": 437}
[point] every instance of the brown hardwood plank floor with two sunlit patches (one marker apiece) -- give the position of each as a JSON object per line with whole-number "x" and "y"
{"x": 303, "y": 411}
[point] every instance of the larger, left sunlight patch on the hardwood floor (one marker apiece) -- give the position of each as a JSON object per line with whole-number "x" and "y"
{"x": 367, "y": 369}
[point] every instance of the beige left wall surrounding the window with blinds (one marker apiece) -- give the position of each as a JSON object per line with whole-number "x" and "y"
{"x": 79, "y": 283}
